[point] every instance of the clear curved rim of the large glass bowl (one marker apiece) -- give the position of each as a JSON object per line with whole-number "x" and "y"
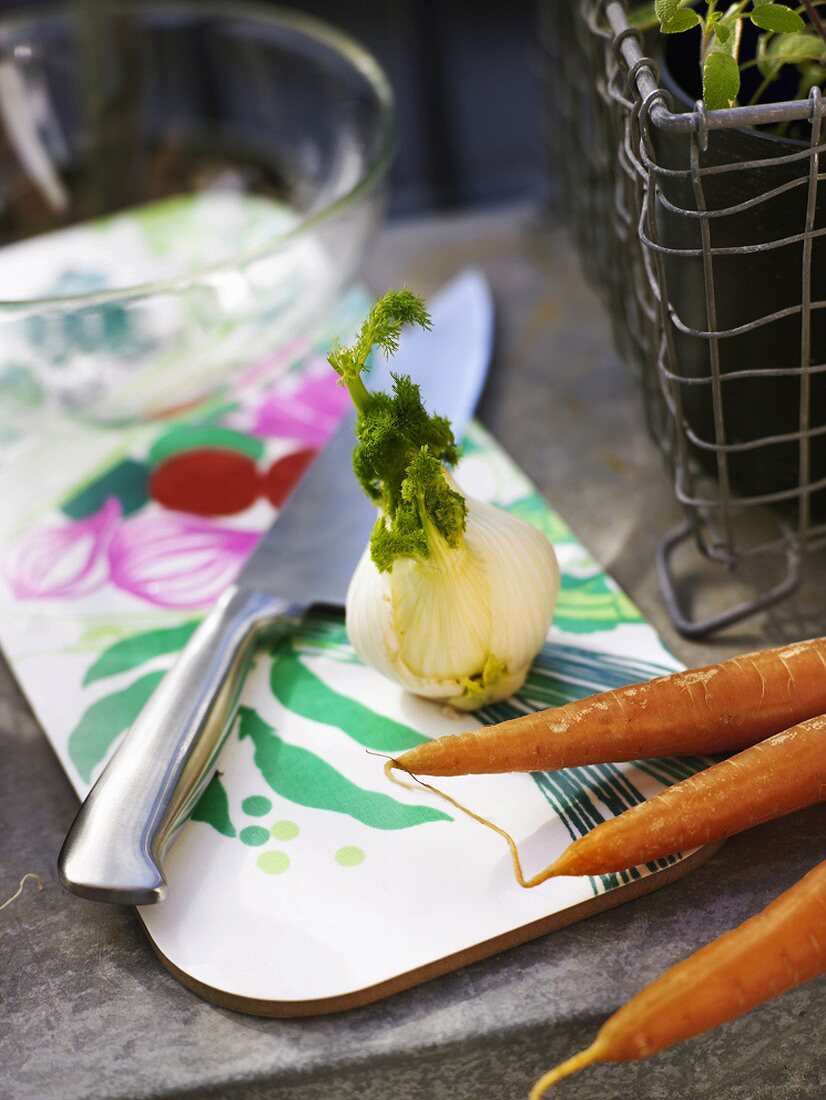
{"x": 348, "y": 48}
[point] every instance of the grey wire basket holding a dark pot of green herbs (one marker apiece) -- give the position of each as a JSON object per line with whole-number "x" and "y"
{"x": 732, "y": 221}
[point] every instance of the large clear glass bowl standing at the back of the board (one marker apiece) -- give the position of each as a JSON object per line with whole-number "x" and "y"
{"x": 184, "y": 188}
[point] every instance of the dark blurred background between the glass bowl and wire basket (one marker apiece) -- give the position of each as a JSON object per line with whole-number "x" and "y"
{"x": 466, "y": 74}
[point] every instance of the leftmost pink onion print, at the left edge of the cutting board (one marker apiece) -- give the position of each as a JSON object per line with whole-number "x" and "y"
{"x": 67, "y": 562}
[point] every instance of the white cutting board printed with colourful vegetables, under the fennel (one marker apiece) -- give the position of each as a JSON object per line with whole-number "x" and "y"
{"x": 305, "y": 883}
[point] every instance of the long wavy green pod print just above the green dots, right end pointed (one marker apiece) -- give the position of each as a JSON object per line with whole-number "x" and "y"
{"x": 302, "y": 777}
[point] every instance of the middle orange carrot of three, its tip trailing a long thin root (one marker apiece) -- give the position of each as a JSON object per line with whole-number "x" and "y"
{"x": 774, "y": 778}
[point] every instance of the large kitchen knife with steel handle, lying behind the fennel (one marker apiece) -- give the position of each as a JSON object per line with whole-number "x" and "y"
{"x": 115, "y": 849}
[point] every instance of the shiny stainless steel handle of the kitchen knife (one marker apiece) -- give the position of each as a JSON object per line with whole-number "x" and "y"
{"x": 114, "y": 851}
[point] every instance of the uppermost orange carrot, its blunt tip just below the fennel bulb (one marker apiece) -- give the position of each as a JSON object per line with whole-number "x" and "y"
{"x": 718, "y": 709}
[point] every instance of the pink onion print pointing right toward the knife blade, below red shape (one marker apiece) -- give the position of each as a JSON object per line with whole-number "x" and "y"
{"x": 175, "y": 560}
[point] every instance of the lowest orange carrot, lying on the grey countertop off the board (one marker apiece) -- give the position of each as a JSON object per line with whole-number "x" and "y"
{"x": 777, "y": 950}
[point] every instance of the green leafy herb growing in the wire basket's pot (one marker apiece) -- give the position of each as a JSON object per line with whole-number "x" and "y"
{"x": 786, "y": 37}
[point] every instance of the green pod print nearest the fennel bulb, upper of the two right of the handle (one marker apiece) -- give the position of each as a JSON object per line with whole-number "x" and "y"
{"x": 306, "y": 695}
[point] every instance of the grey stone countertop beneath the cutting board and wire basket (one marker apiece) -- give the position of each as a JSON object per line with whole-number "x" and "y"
{"x": 87, "y": 1011}
